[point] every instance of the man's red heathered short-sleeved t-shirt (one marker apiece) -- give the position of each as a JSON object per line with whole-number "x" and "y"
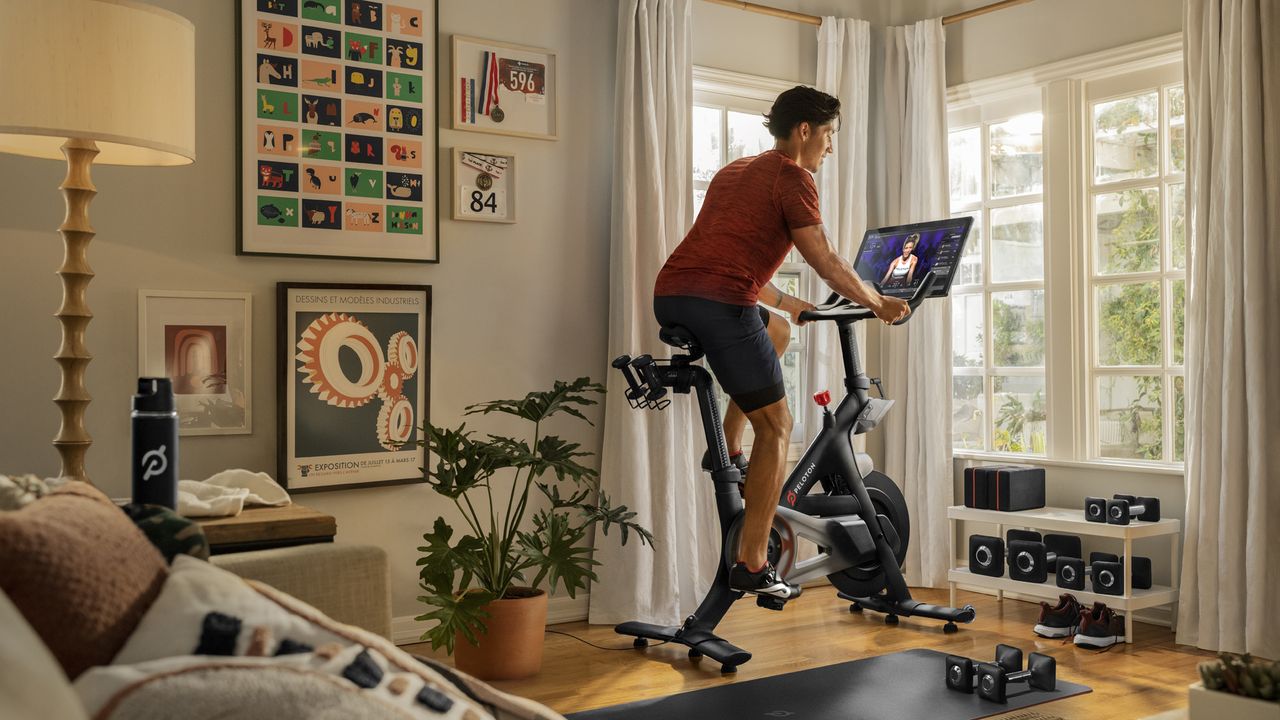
{"x": 744, "y": 230}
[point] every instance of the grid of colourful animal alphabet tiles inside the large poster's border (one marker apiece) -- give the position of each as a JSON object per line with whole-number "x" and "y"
{"x": 340, "y": 116}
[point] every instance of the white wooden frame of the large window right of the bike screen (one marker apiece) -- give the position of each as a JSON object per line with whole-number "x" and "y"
{"x": 1068, "y": 90}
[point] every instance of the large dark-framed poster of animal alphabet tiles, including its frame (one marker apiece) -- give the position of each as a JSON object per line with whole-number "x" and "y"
{"x": 337, "y": 130}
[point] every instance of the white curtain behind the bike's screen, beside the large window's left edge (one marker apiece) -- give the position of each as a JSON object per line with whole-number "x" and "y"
{"x": 916, "y": 359}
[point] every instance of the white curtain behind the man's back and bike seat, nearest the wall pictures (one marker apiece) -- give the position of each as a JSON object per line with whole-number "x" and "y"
{"x": 648, "y": 462}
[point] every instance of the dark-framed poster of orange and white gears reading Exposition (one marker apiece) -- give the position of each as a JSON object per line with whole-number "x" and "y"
{"x": 354, "y": 385}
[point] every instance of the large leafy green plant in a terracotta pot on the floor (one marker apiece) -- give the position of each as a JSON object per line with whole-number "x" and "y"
{"x": 483, "y": 584}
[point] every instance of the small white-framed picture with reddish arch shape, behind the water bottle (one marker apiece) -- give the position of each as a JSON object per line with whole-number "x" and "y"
{"x": 202, "y": 343}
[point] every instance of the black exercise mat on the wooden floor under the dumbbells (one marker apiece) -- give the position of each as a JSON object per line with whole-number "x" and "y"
{"x": 903, "y": 686}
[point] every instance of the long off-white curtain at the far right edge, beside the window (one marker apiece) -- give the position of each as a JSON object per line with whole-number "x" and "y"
{"x": 1231, "y": 589}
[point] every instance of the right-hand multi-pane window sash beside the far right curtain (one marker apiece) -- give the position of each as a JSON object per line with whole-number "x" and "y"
{"x": 1139, "y": 275}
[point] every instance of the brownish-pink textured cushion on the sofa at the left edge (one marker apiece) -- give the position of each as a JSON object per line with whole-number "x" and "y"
{"x": 80, "y": 572}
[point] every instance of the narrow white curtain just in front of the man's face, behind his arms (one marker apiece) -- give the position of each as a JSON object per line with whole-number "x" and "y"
{"x": 844, "y": 71}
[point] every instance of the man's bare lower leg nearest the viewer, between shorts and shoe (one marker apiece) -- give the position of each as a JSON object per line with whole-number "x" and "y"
{"x": 772, "y": 426}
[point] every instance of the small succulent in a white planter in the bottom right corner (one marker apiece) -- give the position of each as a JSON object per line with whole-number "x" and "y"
{"x": 1238, "y": 687}
